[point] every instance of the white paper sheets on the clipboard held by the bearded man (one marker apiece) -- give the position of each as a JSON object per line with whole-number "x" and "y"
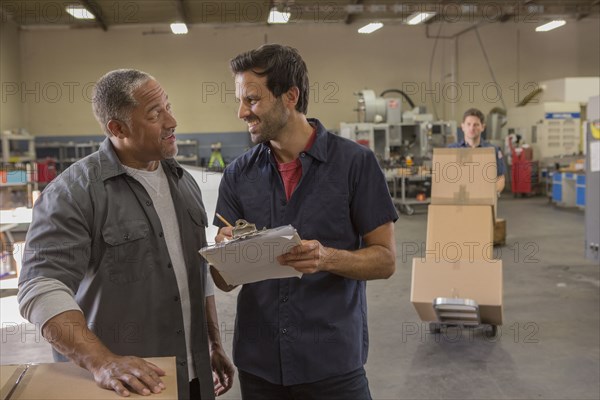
{"x": 253, "y": 258}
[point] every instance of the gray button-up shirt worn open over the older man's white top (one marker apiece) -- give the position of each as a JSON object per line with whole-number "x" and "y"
{"x": 95, "y": 229}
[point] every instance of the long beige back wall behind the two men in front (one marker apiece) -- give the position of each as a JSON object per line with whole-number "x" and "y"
{"x": 60, "y": 66}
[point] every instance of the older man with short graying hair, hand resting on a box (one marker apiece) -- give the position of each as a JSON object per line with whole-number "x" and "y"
{"x": 110, "y": 269}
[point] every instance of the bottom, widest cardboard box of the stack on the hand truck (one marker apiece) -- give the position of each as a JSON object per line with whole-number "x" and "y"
{"x": 480, "y": 281}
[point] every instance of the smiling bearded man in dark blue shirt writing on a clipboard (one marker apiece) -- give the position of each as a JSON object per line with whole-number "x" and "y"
{"x": 304, "y": 338}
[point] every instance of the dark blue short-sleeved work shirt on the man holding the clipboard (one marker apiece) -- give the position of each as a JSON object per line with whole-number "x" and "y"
{"x": 291, "y": 331}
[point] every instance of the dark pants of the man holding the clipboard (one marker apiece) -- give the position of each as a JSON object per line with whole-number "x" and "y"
{"x": 350, "y": 386}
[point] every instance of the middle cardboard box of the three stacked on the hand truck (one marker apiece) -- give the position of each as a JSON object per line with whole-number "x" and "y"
{"x": 456, "y": 233}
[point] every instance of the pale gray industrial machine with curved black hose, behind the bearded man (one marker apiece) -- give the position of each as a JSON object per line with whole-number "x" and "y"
{"x": 397, "y": 137}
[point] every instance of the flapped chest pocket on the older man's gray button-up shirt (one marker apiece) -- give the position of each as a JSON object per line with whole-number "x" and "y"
{"x": 127, "y": 258}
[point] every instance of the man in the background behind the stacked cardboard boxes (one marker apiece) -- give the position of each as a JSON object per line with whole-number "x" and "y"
{"x": 473, "y": 125}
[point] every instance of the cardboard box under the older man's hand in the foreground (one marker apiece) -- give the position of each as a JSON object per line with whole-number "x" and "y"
{"x": 66, "y": 381}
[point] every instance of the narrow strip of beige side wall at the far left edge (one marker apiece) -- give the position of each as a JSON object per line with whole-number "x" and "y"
{"x": 10, "y": 76}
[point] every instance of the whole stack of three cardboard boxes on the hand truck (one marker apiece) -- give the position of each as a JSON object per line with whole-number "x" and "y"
{"x": 458, "y": 259}
